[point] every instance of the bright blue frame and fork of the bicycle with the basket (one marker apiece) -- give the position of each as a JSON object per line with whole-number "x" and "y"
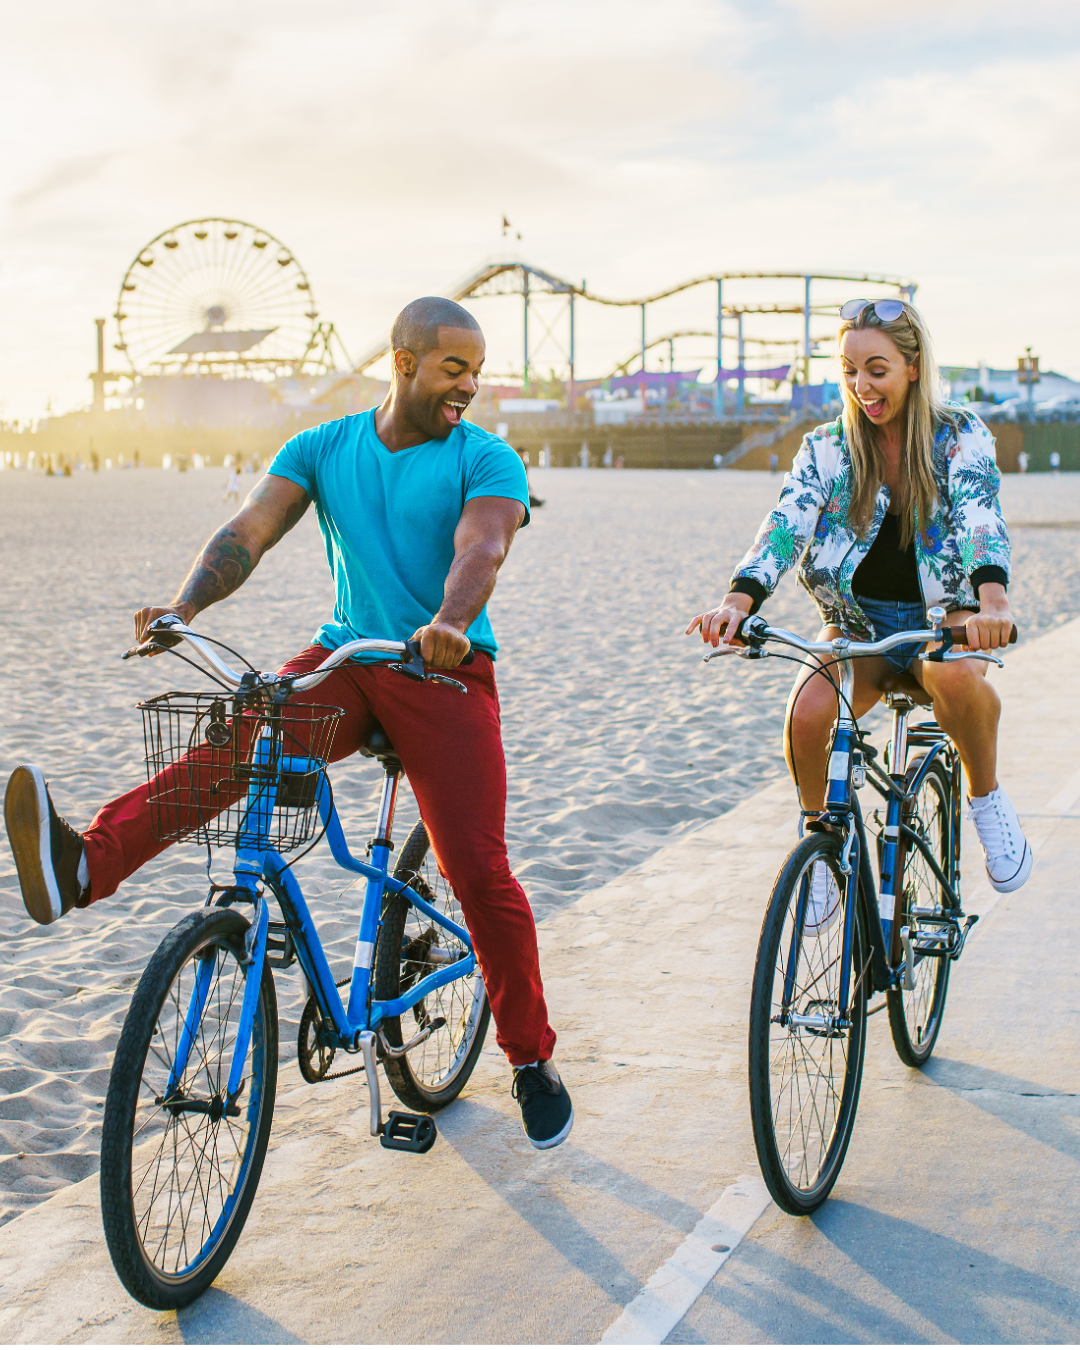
{"x": 352, "y": 1027}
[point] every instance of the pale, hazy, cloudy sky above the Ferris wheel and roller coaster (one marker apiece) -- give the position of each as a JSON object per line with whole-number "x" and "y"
{"x": 631, "y": 145}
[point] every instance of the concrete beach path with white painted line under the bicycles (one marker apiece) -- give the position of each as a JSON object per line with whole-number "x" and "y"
{"x": 956, "y": 1218}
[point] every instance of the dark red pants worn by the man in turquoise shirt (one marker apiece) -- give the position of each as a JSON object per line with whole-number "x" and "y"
{"x": 452, "y": 750}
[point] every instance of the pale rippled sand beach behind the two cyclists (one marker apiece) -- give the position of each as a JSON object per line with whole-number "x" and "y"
{"x": 618, "y": 738}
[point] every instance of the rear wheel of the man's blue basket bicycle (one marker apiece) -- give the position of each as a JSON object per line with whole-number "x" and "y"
{"x": 434, "y": 1074}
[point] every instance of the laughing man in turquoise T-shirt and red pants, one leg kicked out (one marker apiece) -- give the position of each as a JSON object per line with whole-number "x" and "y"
{"x": 418, "y": 512}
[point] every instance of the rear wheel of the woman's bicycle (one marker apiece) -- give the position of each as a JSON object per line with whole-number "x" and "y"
{"x": 915, "y": 1016}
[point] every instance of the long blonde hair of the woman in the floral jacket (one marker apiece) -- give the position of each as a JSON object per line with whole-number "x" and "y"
{"x": 924, "y": 412}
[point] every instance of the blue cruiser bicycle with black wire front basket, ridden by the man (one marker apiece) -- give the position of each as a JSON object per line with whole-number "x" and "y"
{"x": 191, "y": 1094}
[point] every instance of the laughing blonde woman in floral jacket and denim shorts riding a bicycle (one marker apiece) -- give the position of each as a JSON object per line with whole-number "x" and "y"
{"x": 893, "y": 508}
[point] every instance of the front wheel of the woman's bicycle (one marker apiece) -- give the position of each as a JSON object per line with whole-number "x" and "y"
{"x": 776, "y": 1051}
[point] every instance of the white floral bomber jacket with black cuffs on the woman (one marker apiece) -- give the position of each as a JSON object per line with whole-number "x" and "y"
{"x": 809, "y": 524}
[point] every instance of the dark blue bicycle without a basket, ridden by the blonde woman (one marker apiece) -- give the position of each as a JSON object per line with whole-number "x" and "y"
{"x": 835, "y": 935}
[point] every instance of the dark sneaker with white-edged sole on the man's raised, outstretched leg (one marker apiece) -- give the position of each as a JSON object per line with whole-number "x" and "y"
{"x": 48, "y": 851}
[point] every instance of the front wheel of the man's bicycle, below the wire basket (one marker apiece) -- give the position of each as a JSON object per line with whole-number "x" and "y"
{"x": 149, "y": 1240}
